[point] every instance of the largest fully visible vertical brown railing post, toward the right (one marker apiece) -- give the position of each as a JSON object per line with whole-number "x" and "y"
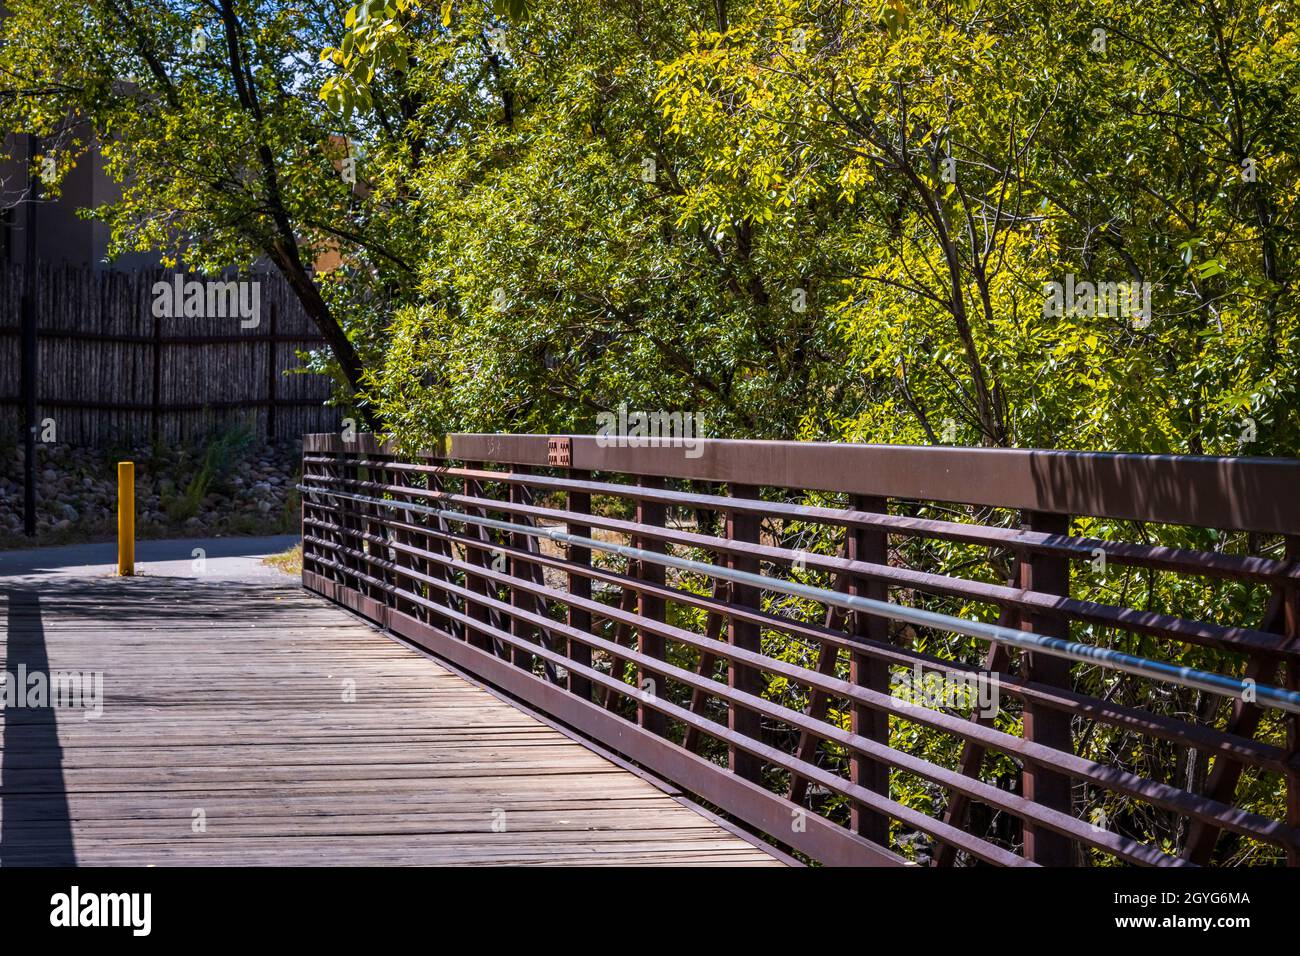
{"x": 1050, "y": 576}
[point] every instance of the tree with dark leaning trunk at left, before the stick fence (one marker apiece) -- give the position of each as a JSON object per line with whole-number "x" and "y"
{"x": 209, "y": 116}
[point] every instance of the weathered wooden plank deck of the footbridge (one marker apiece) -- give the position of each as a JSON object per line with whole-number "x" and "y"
{"x": 226, "y": 738}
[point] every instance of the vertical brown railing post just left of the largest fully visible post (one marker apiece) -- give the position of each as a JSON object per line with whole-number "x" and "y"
{"x": 873, "y": 547}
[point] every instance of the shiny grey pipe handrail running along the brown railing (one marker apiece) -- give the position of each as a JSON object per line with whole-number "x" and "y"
{"x": 1132, "y": 664}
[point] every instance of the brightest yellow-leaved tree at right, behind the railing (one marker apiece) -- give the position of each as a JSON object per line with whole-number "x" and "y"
{"x": 980, "y": 152}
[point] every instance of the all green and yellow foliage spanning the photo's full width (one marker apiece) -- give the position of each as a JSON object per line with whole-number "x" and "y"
{"x": 912, "y": 174}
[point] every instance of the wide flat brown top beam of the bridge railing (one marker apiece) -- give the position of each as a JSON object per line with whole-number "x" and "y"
{"x": 1259, "y": 495}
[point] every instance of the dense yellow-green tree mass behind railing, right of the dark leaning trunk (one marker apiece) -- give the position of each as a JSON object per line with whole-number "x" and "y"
{"x": 853, "y": 214}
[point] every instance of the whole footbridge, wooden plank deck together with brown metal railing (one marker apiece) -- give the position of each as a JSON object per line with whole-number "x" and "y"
{"x": 558, "y": 650}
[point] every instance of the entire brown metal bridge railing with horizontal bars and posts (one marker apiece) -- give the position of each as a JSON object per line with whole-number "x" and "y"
{"x": 766, "y": 680}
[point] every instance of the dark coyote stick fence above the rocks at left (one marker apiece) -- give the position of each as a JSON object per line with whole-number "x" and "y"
{"x": 111, "y": 371}
